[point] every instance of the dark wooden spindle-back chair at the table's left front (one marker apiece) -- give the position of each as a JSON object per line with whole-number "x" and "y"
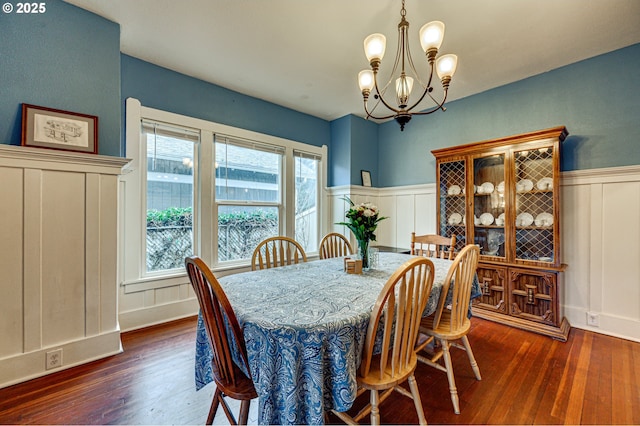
{"x": 216, "y": 313}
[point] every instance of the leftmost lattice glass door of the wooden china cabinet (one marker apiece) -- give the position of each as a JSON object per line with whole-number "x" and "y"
{"x": 453, "y": 201}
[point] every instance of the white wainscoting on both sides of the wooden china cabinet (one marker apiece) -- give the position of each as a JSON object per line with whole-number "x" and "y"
{"x": 600, "y": 235}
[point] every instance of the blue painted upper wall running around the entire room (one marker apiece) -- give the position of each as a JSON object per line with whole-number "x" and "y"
{"x": 69, "y": 59}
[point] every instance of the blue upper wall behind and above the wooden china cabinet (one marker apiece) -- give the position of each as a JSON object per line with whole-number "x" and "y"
{"x": 597, "y": 99}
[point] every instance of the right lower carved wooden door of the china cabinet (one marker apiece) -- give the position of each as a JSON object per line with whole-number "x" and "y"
{"x": 533, "y": 295}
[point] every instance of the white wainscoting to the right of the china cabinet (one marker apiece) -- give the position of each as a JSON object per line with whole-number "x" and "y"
{"x": 601, "y": 236}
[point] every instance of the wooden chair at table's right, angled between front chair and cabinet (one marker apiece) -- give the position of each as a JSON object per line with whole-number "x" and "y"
{"x": 450, "y": 322}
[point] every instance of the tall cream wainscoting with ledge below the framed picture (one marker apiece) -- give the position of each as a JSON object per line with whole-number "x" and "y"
{"x": 58, "y": 259}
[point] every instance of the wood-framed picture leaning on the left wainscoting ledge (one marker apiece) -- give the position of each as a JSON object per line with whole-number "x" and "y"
{"x": 56, "y": 129}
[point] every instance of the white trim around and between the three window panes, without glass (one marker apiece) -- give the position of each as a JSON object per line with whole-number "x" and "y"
{"x": 131, "y": 249}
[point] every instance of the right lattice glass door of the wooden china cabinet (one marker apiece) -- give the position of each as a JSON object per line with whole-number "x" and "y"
{"x": 534, "y": 204}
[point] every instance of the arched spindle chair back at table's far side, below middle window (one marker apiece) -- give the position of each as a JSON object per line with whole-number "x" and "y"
{"x": 277, "y": 251}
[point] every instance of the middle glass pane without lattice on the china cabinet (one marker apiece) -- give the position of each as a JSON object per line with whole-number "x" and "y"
{"x": 489, "y": 205}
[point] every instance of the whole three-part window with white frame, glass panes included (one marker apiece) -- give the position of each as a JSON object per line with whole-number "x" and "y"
{"x": 203, "y": 188}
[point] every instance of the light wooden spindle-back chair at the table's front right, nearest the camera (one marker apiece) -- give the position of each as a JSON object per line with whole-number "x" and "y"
{"x": 396, "y": 315}
